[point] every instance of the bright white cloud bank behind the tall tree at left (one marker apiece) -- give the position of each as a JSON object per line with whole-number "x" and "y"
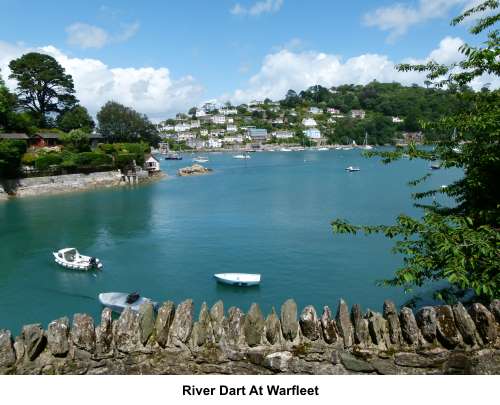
{"x": 148, "y": 90}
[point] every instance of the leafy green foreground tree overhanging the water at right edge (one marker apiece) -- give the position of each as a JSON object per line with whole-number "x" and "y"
{"x": 458, "y": 243}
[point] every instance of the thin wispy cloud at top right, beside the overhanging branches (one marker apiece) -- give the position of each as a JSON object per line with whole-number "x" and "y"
{"x": 398, "y": 18}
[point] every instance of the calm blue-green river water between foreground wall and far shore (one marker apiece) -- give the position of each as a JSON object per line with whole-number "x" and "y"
{"x": 270, "y": 215}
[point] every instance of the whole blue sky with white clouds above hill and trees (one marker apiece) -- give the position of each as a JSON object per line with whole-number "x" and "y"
{"x": 163, "y": 57}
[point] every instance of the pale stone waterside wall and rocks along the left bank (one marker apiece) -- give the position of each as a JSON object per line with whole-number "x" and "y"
{"x": 52, "y": 185}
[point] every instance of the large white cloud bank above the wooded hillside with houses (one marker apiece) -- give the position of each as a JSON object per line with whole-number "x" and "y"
{"x": 285, "y": 69}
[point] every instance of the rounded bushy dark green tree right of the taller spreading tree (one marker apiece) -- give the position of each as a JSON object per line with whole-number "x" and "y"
{"x": 118, "y": 123}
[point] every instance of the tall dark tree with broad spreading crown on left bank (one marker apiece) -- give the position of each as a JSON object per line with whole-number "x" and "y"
{"x": 43, "y": 86}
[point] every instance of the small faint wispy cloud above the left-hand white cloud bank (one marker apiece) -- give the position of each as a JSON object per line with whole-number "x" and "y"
{"x": 89, "y": 36}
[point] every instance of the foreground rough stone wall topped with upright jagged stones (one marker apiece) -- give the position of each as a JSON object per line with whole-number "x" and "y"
{"x": 434, "y": 340}
